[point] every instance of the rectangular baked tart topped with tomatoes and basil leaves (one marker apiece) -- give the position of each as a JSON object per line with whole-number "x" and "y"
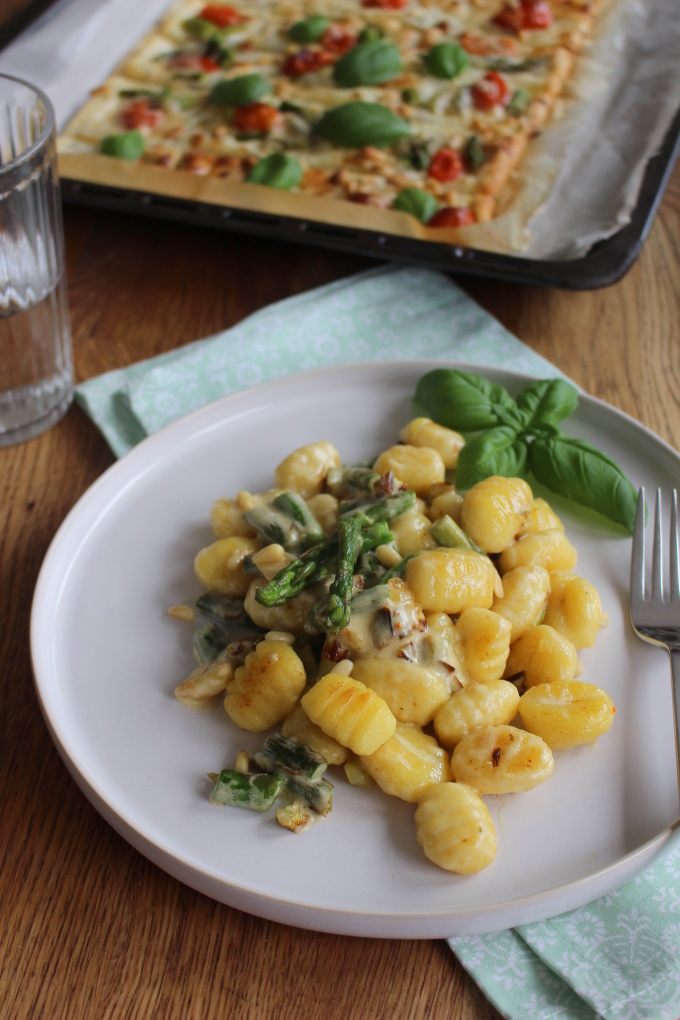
{"x": 421, "y": 108}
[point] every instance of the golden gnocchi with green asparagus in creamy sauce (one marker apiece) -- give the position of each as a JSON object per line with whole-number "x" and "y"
{"x": 388, "y": 640}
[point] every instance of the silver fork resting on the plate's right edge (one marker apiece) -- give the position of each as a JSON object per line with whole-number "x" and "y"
{"x": 656, "y": 617}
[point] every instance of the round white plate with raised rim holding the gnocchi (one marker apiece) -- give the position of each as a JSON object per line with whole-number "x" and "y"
{"x": 108, "y": 658}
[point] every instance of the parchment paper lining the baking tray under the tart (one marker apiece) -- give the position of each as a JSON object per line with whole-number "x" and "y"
{"x": 578, "y": 185}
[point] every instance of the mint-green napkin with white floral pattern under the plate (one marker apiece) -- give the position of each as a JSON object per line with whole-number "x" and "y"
{"x": 618, "y": 958}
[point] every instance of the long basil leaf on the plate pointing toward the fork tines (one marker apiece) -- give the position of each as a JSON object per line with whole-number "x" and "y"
{"x": 582, "y": 473}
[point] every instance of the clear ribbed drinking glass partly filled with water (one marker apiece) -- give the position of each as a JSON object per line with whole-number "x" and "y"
{"x": 36, "y": 360}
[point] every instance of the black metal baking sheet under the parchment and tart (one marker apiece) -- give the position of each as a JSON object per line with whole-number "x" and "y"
{"x": 606, "y": 264}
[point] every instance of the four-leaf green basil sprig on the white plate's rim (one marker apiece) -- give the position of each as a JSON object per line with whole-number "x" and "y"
{"x": 512, "y": 438}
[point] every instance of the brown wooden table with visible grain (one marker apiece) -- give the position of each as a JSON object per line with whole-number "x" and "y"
{"x": 90, "y": 929}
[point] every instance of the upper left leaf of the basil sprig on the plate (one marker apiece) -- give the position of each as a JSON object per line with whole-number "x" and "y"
{"x": 465, "y": 401}
